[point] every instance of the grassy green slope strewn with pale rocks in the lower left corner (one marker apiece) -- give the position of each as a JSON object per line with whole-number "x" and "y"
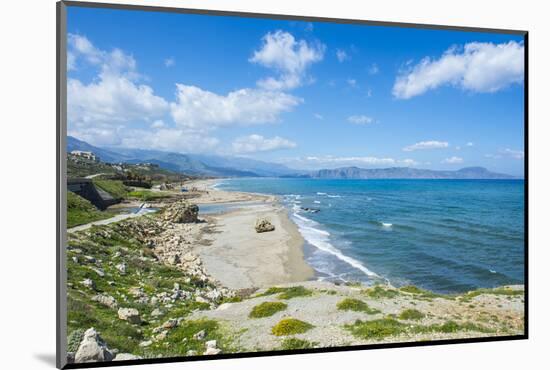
{"x": 94, "y": 254}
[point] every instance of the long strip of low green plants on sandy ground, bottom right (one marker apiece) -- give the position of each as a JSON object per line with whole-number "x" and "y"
{"x": 387, "y": 327}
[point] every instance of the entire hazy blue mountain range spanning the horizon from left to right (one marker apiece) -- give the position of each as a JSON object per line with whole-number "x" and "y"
{"x": 227, "y": 166}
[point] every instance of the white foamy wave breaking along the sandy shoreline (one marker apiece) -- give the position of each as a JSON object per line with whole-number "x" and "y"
{"x": 320, "y": 239}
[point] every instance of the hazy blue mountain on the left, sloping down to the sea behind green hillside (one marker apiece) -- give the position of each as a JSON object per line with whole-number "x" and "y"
{"x": 193, "y": 164}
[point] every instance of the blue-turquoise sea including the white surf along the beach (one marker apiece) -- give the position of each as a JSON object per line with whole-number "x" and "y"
{"x": 442, "y": 235}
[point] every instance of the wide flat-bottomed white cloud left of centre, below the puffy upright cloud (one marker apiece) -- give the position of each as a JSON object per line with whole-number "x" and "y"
{"x": 201, "y": 109}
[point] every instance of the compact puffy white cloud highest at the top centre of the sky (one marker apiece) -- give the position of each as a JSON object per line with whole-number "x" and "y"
{"x": 289, "y": 57}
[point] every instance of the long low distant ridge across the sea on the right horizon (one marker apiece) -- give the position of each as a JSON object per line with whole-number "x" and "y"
{"x": 407, "y": 173}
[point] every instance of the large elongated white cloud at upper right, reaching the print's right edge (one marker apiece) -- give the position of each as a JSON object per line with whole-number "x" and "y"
{"x": 478, "y": 67}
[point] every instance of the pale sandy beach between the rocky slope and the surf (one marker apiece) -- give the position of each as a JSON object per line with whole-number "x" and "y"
{"x": 236, "y": 255}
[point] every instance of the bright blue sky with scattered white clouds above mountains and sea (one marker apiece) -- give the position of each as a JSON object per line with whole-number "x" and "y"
{"x": 310, "y": 95}
